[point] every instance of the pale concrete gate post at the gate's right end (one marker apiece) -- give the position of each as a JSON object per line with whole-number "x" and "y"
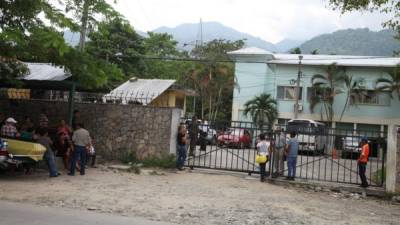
{"x": 393, "y": 160}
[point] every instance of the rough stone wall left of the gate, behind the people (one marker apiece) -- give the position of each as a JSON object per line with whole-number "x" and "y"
{"x": 116, "y": 129}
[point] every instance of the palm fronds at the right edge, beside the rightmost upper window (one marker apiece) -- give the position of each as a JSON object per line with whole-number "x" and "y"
{"x": 391, "y": 84}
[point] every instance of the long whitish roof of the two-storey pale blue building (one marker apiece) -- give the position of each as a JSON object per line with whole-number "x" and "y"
{"x": 321, "y": 60}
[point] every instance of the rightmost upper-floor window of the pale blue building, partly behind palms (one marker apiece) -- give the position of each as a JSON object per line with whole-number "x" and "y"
{"x": 371, "y": 97}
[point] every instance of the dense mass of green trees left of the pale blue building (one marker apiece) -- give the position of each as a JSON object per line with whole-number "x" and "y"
{"x": 110, "y": 51}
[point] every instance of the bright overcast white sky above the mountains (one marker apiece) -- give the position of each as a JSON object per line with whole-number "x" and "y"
{"x": 271, "y": 20}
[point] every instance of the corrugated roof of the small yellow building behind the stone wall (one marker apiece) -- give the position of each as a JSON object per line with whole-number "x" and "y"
{"x": 142, "y": 90}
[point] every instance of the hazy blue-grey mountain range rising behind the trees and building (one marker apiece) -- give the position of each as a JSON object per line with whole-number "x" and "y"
{"x": 342, "y": 42}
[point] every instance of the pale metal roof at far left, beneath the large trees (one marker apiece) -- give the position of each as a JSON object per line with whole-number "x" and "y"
{"x": 44, "y": 71}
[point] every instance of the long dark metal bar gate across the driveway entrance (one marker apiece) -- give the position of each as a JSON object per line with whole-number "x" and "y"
{"x": 324, "y": 155}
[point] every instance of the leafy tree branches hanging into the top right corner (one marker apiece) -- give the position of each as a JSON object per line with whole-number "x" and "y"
{"x": 384, "y": 6}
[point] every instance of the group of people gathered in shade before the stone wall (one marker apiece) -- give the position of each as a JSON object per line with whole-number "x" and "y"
{"x": 71, "y": 144}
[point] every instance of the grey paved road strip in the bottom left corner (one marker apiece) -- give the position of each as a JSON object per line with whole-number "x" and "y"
{"x": 17, "y": 213}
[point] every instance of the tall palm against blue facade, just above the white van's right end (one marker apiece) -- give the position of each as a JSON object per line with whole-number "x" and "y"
{"x": 326, "y": 88}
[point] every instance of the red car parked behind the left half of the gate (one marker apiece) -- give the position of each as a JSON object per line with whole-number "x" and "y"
{"x": 235, "y": 137}
